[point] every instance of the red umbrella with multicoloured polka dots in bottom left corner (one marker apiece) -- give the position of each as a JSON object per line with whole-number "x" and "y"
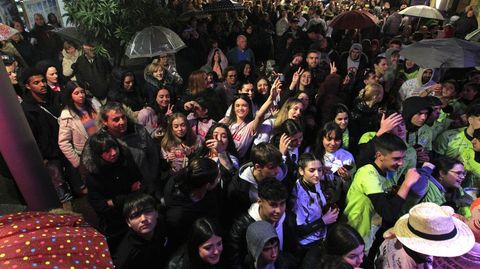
{"x": 48, "y": 240}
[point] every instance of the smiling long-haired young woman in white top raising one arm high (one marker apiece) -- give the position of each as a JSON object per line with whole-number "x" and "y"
{"x": 242, "y": 124}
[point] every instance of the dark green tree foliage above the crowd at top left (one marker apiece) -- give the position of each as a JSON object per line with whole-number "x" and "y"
{"x": 110, "y": 24}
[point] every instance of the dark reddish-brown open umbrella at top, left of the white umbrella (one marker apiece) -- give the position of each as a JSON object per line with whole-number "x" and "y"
{"x": 353, "y": 19}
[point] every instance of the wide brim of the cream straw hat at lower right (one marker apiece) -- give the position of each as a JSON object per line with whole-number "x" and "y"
{"x": 456, "y": 246}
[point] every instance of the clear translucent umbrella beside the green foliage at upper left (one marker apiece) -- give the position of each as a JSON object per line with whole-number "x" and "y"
{"x": 153, "y": 41}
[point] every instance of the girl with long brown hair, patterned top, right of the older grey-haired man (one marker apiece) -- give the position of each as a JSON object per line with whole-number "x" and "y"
{"x": 179, "y": 142}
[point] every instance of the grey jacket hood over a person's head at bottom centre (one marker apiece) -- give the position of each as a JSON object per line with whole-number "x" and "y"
{"x": 258, "y": 234}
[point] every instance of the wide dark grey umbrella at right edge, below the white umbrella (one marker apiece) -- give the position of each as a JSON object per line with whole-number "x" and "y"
{"x": 443, "y": 53}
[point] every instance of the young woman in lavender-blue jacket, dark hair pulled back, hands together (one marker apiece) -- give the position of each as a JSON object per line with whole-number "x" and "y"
{"x": 309, "y": 202}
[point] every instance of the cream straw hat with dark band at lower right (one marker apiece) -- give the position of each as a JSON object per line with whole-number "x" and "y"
{"x": 431, "y": 229}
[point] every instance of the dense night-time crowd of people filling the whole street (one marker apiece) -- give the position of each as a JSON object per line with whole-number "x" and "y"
{"x": 272, "y": 141}
